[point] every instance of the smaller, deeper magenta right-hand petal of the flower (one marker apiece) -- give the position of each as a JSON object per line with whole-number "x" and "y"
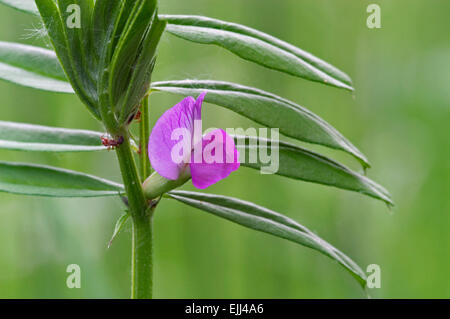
{"x": 219, "y": 158}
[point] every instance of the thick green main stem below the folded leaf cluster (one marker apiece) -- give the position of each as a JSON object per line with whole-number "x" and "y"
{"x": 142, "y": 267}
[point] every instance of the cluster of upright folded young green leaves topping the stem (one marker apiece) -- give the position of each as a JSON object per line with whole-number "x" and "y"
{"x": 108, "y": 55}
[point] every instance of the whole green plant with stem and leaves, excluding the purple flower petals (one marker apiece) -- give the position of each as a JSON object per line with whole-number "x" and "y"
{"x": 108, "y": 63}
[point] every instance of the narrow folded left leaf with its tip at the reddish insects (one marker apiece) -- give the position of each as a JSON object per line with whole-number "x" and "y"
{"x": 27, "y": 137}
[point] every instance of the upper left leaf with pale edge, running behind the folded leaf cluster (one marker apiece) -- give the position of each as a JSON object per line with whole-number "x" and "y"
{"x": 31, "y": 66}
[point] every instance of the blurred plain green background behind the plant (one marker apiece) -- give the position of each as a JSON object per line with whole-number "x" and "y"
{"x": 398, "y": 117}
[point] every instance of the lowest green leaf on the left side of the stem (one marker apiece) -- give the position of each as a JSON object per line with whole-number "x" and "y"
{"x": 38, "y": 180}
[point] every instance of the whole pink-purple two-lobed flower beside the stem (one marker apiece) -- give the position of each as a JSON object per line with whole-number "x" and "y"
{"x": 177, "y": 148}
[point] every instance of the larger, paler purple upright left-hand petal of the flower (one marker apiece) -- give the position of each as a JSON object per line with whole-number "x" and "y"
{"x": 161, "y": 144}
